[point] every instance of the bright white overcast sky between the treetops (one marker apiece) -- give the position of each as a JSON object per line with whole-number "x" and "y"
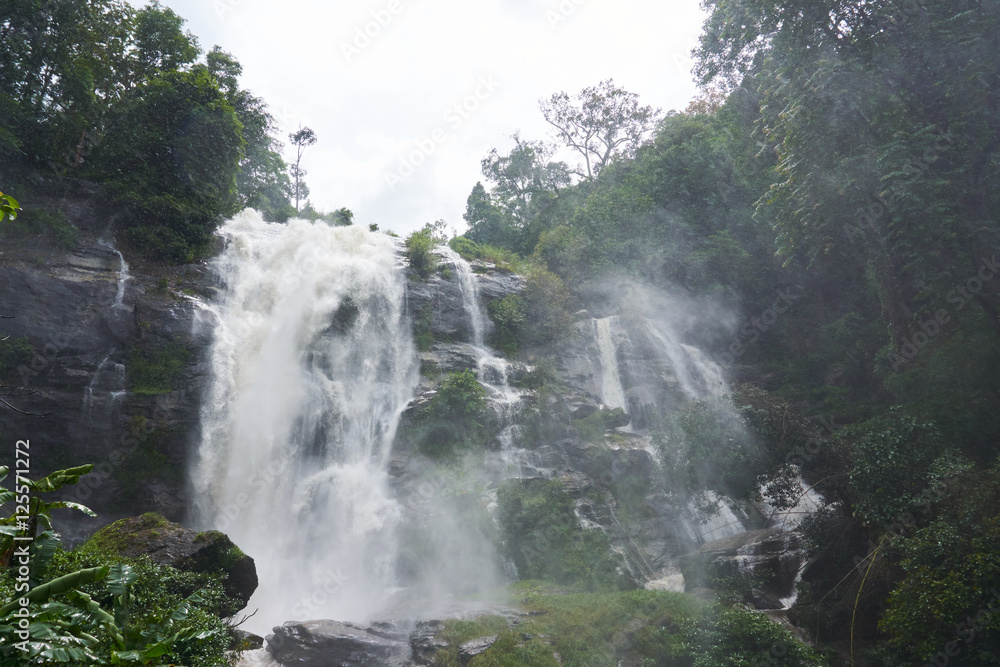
{"x": 379, "y": 81}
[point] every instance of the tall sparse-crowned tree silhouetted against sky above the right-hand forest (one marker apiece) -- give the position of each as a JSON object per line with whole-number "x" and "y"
{"x": 606, "y": 123}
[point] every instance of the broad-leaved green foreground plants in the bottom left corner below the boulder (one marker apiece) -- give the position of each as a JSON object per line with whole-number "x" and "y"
{"x": 93, "y": 606}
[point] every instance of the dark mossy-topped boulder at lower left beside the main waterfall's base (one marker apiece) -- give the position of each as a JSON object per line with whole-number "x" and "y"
{"x": 169, "y": 543}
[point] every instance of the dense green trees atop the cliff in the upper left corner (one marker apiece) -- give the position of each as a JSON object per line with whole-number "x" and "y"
{"x": 118, "y": 95}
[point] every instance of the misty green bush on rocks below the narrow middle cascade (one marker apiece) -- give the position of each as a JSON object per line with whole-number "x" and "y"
{"x": 543, "y": 539}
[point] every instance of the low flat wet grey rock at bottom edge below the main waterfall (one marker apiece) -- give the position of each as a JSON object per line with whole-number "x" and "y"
{"x": 335, "y": 644}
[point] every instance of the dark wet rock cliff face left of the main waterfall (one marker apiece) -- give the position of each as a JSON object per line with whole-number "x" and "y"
{"x": 86, "y": 323}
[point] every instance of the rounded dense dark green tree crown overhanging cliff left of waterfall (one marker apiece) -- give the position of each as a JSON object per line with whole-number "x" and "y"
{"x": 171, "y": 156}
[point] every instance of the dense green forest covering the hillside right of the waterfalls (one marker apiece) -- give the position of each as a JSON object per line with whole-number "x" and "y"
{"x": 837, "y": 186}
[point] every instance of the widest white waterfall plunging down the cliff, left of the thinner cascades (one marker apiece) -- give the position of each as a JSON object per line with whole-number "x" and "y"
{"x": 312, "y": 365}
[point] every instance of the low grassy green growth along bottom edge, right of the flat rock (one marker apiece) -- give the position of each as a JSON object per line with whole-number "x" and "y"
{"x": 635, "y": 628}
